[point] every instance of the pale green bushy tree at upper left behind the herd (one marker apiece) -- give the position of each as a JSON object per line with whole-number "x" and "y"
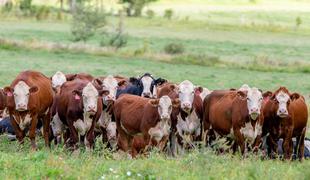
{"x": 86, "y": 22}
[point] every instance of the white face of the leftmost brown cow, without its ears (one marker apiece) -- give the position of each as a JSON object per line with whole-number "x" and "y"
{"x": 21, "y": 96}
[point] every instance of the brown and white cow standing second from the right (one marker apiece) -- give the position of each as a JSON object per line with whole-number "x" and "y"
{"x": 237, "y": 114}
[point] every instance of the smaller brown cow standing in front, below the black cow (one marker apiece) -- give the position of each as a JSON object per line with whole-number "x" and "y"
{"x": 137, "y": 115}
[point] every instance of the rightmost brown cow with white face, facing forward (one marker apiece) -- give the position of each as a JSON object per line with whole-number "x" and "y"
{"x": 286, "y": 116}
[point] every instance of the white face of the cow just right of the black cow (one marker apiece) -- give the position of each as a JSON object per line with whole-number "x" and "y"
{"x": 186, "y": 95}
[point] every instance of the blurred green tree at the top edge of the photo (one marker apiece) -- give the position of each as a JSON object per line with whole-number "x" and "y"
{"x": 134, "y": 7}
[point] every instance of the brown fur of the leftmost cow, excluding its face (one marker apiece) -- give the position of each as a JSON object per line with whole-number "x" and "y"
{"x": 39, "y": 103}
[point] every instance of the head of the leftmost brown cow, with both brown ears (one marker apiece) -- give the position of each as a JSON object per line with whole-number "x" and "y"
{"x": 21, "y": 94}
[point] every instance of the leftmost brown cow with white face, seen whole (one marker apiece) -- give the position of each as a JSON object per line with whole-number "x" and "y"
{"x": 28, "y": 99}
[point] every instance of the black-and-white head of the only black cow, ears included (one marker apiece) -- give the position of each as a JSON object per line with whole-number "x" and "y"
{"x": 147, "y": 83}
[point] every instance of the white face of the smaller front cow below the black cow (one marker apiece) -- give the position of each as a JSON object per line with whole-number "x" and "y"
{"x": 164, "y": 107}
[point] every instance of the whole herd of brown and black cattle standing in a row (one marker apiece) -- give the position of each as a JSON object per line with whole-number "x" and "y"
{"x": 135, "y": 114}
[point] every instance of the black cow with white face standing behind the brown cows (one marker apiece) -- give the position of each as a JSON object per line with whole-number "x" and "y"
{"x": 144, "y": 86}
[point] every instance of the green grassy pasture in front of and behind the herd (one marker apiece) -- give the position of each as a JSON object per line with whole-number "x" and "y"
{"x": 267, "y": 54}
